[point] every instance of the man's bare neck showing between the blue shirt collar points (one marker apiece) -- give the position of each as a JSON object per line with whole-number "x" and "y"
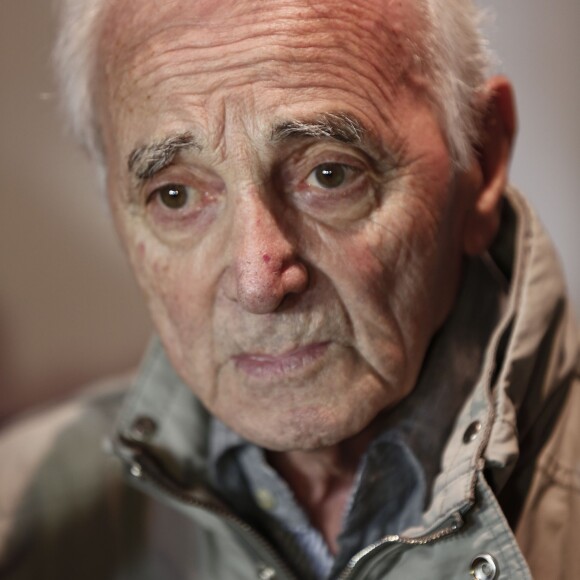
{"x": 322, "y": 480}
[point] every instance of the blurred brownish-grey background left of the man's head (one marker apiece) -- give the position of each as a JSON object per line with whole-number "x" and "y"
{"x": 69, "y": 310}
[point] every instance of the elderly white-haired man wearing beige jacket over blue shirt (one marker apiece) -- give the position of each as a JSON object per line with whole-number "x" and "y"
{"x": 366, "y": 364}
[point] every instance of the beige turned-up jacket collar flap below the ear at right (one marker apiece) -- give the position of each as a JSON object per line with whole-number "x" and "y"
{"x": 536, "y": 347}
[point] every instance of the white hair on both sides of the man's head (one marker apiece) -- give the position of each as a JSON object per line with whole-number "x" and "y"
{"x": 454, "y": 52}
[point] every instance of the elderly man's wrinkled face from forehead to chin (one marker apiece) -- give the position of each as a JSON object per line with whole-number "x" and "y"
{"x": 287, "y": 199}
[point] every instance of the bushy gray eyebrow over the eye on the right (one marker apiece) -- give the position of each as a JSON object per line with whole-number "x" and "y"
{"x": 337, "y": 126}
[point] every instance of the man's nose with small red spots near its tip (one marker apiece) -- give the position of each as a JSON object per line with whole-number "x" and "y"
{"x": 265, "y": 266}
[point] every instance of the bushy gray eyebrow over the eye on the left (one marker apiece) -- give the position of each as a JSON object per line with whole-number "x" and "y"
{"x": 145, "y": 161}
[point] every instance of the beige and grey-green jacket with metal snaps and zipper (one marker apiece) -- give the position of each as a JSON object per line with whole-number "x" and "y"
{"x": 506, "y": 503}
